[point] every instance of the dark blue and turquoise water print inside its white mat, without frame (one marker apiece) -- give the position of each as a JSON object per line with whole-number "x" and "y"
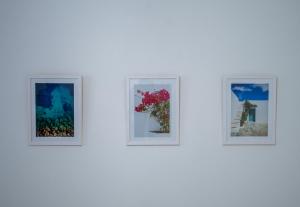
{"x": 54, "y": 106}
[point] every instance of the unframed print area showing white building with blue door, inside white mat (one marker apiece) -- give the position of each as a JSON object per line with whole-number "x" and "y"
{"x": 249, "y": 109}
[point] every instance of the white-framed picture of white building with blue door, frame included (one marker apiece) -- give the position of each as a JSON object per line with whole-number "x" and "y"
{"x": 249, "y": 110}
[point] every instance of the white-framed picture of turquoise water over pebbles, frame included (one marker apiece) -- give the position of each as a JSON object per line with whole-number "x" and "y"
{"x": 56, "y": 110}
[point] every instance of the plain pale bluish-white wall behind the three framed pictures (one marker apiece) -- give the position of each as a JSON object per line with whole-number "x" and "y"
{"x": 106, "y": 40}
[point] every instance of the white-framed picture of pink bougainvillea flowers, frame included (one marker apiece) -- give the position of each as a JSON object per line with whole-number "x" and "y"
{"x": 153, "y": 110}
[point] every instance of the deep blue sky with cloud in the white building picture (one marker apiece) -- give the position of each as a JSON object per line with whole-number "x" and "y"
{"x": 259, "y": 92}
